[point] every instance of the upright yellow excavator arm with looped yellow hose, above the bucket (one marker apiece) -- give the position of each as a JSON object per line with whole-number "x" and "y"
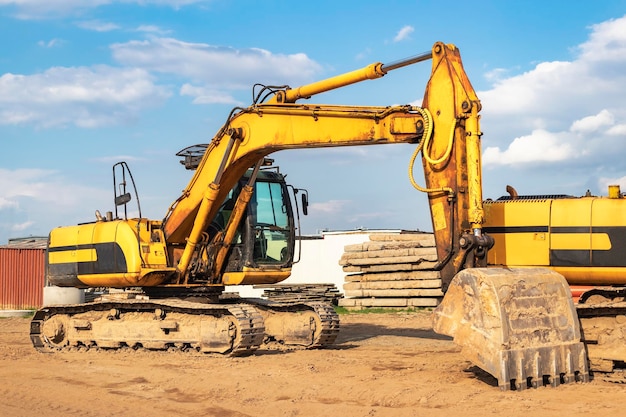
{"x": 452, "y": 166}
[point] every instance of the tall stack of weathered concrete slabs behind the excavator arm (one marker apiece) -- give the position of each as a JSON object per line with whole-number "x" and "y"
{"x": 392, "y": 270}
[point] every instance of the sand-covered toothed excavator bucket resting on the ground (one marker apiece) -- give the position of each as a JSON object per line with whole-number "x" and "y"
{"x": 520, "y": 325}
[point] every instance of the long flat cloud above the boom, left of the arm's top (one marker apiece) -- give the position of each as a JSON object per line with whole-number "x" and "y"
{"x": 214, "y": 65}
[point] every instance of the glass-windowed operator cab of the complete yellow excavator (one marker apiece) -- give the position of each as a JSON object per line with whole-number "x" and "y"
{"x": 261, "y": 245}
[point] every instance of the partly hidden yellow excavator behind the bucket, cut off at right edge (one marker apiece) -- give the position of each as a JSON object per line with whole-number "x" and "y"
{"x": 584, "y": 240}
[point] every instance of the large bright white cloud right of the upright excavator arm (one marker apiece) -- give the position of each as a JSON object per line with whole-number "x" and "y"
{"x": 558, "y": 92}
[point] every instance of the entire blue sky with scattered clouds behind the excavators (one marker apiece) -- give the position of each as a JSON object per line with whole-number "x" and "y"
{"x": 87, "y": 83}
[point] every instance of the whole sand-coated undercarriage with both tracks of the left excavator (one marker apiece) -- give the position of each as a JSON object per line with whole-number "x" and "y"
{"x": 236, "y": 327}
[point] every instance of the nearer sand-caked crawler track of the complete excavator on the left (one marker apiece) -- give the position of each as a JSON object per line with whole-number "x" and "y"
{"x": 158, "y": 325}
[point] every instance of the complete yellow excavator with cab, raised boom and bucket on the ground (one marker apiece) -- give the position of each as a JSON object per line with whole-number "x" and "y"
{"x": 234, "y": 224}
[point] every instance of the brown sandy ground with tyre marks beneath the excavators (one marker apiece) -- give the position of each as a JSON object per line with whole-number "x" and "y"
{"x": 382, "y": 365}
